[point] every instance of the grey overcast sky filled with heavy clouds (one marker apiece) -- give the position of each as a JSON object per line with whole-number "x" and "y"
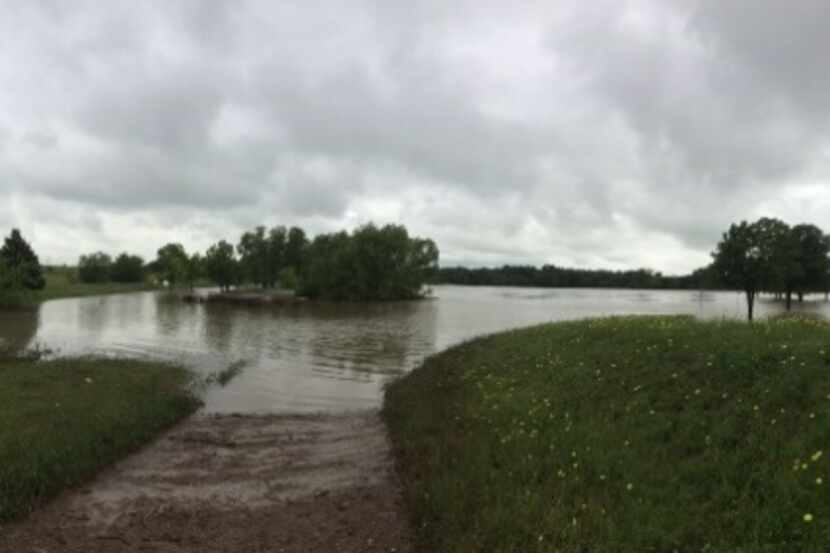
{"x": 592, "y": 134}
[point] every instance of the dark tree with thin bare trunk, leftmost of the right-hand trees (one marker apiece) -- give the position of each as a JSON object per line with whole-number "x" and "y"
{"x": 739, "y": 263}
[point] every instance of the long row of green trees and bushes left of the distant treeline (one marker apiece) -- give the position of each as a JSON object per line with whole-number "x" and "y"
{"x": 370, "y": 263}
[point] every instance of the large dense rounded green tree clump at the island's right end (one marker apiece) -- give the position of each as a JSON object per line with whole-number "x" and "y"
{"x": 372, "y": 263}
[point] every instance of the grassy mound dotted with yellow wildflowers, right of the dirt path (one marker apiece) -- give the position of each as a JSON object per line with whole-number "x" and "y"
{"x": 622, "y": 434}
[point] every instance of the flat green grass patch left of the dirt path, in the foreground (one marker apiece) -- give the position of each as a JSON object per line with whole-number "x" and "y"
{"x": 62, "y": 421}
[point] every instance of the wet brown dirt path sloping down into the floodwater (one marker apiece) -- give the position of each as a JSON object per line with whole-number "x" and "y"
{"x": 241, "y": 484}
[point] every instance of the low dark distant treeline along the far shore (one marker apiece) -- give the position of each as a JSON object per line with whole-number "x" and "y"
{"x": 551, "y": 276}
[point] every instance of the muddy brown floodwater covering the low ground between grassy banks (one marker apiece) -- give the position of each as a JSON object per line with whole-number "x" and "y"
{"x": 320, "y": 357}
